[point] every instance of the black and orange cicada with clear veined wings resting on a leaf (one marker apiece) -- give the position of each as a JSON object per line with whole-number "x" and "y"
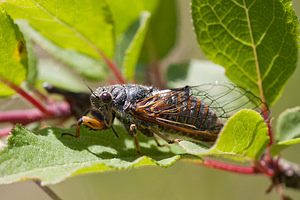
{"x": 195, "y": 113}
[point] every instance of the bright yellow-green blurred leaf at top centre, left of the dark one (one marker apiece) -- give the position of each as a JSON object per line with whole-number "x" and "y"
{"x": 126, "y": 12}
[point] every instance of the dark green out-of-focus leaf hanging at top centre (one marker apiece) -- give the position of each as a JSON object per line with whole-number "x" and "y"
{"x": 162, "y": 34}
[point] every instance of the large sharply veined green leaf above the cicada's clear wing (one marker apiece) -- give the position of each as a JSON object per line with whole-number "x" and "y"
{"x": 256, "y": 41}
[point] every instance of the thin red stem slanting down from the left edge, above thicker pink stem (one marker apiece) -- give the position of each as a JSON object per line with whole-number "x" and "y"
{"x": 26, "y": 96}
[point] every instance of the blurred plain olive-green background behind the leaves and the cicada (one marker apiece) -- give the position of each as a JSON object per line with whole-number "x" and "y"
{"x": 183, "y": 180}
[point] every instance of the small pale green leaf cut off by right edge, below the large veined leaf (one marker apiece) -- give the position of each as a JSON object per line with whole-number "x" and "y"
{"x": 288, "y": 129}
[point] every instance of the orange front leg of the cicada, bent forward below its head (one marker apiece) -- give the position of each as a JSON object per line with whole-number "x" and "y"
{"x": 87, "y": 121}
